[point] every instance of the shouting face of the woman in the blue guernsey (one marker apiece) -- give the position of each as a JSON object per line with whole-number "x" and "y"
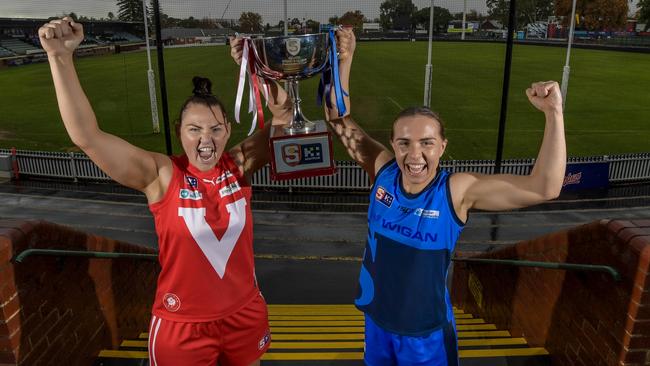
{"x": 418, "y": 146}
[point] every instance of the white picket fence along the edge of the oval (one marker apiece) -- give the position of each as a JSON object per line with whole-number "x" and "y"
{"x": 349, "y": 176}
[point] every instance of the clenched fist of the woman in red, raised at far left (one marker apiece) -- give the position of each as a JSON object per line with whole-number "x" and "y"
{"x": 61, "y": 36}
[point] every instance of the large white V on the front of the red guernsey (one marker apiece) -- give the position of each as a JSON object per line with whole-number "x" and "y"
{"x": 216, "y": 251}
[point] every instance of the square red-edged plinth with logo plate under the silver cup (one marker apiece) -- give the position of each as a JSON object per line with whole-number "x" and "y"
{"x": 301, "y": 155}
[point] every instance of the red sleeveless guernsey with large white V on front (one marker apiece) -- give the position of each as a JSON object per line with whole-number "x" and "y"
{"x": 205, "y": 238}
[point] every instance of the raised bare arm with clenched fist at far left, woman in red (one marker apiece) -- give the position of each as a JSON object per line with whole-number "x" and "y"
{"x": 123, "y": 162}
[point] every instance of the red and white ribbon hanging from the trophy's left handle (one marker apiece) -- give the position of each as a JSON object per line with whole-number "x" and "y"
{"x": 247, "y": 69}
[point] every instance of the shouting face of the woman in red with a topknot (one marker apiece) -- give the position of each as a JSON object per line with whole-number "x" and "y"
{"x": 204, "y": 133}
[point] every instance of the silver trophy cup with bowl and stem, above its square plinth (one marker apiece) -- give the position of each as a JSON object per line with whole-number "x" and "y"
{"x": 292, "y": 58}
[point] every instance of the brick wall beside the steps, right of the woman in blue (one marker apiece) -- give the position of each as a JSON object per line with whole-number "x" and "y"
{"x": 582, "y": 318}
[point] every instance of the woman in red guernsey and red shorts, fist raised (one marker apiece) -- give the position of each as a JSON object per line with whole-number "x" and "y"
{"x": 208, "y": 308}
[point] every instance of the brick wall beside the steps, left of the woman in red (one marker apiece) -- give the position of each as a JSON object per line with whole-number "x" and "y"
{"x": 62, "y": 311}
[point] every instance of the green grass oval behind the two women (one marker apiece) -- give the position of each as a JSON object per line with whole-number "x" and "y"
{"x": 607, "y": 112}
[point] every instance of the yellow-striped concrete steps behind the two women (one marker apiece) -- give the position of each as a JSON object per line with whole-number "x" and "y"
{"x": 333, "y": 335}
